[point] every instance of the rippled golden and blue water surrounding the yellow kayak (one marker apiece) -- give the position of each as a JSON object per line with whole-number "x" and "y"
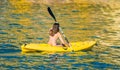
{"x": 30, "y": 24}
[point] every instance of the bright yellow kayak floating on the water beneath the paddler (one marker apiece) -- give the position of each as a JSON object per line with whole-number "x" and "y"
{"x": 76, "y": 46}
